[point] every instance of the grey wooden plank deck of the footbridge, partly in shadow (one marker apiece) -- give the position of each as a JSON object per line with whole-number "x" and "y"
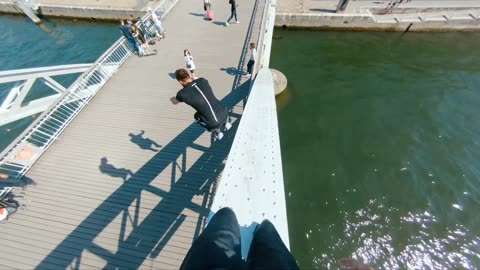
{"x": 129, "y": 182}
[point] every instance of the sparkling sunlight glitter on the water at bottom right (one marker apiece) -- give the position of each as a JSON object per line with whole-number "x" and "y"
{"x": 421, "y": 249}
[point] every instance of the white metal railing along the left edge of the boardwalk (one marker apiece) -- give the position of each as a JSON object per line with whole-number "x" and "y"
{"x": 21, "y": 154}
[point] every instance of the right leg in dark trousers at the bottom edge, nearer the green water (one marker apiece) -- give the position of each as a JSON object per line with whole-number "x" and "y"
{"x": 268, "y": 250}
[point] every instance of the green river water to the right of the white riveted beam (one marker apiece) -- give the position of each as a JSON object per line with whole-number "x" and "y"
{"x": 380, "y": 141}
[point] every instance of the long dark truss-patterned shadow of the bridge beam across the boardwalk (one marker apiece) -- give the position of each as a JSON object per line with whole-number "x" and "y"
{"x": 148, "y": 237}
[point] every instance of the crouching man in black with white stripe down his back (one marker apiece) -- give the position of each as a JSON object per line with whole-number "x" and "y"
{"x": 210, "y": 113}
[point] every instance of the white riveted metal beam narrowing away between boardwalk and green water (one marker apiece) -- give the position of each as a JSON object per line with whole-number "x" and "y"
{"x": 252, "y": 182}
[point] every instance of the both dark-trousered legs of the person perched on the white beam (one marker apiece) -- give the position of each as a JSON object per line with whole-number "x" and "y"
{"x": 218, "y": 247}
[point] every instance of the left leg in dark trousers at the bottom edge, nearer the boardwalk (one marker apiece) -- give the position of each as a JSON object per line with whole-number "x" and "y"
{"x": 218, "y": 246}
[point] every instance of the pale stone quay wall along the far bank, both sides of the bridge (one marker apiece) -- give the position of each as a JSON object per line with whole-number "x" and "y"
{"x": 333, "y": 21}
